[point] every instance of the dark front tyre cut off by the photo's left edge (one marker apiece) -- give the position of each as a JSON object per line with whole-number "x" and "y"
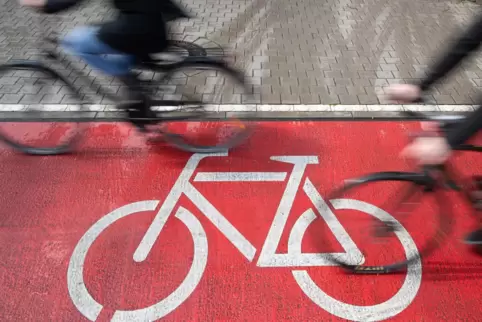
{"x": 65, "y": 148}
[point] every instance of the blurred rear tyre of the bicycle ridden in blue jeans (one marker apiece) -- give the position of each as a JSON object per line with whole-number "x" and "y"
{"x": 179, "y": 141}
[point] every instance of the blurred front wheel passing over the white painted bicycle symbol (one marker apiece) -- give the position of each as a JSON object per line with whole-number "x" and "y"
{"x": 375, "y": 245}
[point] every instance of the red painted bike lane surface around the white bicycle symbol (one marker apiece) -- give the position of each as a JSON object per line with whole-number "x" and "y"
{"x": 71, "y": 251}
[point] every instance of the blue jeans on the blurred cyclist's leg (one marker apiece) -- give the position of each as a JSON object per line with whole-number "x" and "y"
{"x": 83, "y": 42}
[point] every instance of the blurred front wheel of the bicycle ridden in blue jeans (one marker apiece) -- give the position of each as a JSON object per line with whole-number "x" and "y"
{"x": 39, "y": 128}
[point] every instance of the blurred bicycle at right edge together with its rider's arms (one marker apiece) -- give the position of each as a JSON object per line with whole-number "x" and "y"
{"x": 433, "y": 150}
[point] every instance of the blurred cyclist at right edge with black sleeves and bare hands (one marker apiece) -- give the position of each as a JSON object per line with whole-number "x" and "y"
{"x": 437, "y": 149}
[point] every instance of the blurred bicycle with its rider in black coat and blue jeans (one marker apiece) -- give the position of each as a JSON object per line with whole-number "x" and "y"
{"x": 118, "y": 48}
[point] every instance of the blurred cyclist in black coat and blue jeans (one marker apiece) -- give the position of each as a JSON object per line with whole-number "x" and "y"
{"x": 138, "y": 29}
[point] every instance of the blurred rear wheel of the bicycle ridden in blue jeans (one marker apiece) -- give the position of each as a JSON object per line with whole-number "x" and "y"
{"x": 189, "y": 103}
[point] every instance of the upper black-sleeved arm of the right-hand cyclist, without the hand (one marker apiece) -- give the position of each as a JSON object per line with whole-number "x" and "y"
{"x": 463, "y": 46}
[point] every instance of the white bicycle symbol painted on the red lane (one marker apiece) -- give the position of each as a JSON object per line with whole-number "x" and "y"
{"x": 268, "y": 257}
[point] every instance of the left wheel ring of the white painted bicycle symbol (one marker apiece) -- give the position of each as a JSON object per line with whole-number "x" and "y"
{"x": 91, "y": 309}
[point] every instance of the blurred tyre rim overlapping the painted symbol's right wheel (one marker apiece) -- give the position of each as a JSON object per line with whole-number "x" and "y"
{"x": 418, "y": 183}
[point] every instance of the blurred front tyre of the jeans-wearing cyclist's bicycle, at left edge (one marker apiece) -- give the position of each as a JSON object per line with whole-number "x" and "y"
{"x": 42, "y": 72}
